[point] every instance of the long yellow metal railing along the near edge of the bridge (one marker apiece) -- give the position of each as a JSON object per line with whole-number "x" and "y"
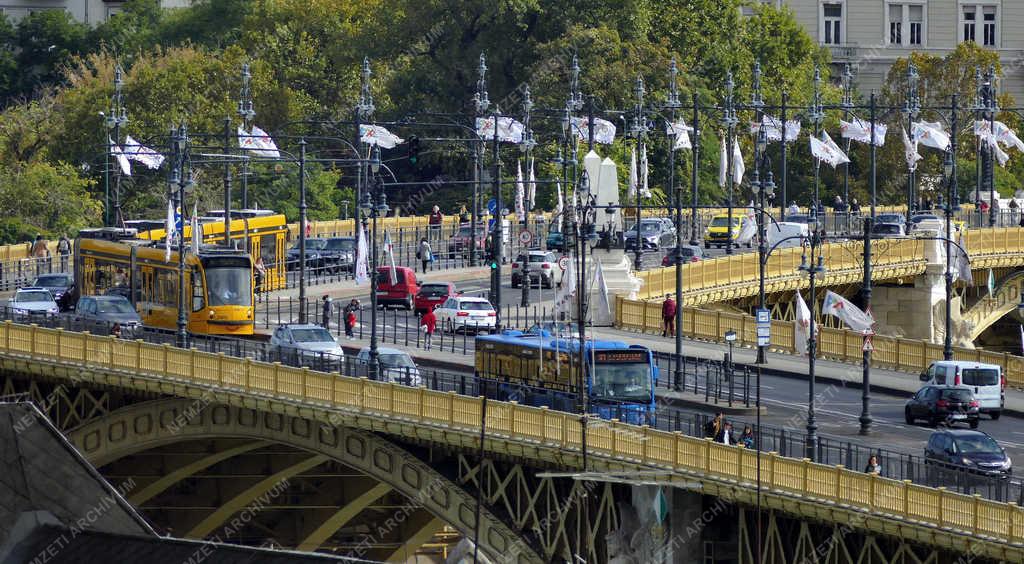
{"x": 815, "y": 484}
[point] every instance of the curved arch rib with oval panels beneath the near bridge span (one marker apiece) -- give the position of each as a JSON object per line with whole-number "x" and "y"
{"x": 150, "y": 425}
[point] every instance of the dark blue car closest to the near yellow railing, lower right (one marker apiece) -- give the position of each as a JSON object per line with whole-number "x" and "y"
{"x": 974, "y": 451}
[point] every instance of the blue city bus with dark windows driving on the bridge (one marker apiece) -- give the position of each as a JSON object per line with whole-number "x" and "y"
{"x": 538, "y": 369}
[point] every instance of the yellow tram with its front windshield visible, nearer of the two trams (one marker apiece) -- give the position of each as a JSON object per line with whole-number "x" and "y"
{"x": 219, "y": 282}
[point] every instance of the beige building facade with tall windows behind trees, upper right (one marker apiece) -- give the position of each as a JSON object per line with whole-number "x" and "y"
{"x": 872, "y": 34}
